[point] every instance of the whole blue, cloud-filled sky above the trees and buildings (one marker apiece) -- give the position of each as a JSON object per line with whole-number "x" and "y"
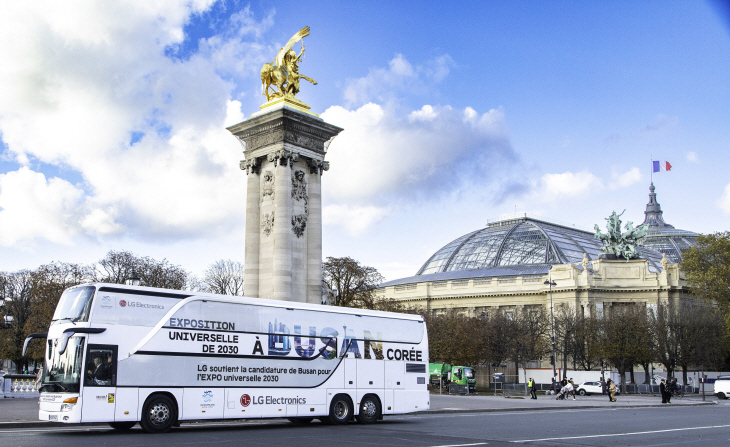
{"x": 113, "y": 116}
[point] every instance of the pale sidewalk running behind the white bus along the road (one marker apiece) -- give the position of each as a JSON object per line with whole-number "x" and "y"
{"x": 23, "y": 413}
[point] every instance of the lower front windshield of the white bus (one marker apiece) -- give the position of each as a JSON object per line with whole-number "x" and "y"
{"x": 63, "y": 371}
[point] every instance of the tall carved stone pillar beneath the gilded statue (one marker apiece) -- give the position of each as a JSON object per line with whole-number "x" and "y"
{"x": 284, "y": 150}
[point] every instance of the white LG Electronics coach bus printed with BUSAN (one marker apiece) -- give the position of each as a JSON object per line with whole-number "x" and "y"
{"x": 124, "y": 354}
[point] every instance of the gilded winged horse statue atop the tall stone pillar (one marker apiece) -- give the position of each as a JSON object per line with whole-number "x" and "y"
{"x": 281, "y": 77}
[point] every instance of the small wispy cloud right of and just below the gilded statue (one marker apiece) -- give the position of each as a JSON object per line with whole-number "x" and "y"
{"x": 381, "y": 84}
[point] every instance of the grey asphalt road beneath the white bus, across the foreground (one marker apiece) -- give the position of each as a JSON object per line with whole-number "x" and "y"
{"x": 696, "y": 426}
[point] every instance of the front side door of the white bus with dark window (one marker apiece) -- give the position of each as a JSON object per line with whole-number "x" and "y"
{"x": 100, "y": 384}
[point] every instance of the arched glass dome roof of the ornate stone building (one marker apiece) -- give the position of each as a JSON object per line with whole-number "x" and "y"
{"x": 522, "y": 241}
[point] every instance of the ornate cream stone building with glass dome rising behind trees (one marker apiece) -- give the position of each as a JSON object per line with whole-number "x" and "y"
{"x": 504, "y": 267}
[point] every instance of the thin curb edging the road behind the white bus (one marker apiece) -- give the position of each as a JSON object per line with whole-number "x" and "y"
{"x": 39, "y": 424}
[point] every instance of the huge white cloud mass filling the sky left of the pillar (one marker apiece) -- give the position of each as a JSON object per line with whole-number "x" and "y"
{"x": 88, "y": 87}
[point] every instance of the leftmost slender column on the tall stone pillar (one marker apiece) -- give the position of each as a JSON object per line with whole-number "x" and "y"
{"x": 253, "y": 224}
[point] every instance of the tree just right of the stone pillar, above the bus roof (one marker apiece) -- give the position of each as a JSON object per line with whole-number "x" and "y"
{"x": 352, "y": 284}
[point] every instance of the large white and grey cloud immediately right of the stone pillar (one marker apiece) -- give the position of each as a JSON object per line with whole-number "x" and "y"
{"x": 435, "y": 149}
